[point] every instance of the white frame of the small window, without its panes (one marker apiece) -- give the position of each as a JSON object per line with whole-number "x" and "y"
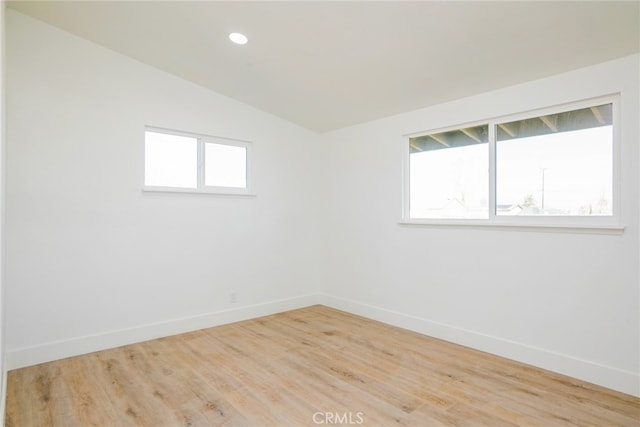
{"x": 201, "y": 187}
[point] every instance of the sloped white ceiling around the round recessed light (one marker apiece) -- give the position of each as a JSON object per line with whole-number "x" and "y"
{"x": 326, "y": 65}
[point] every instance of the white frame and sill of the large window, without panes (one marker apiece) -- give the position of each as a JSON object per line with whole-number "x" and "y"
{"x": 588, "y": 224}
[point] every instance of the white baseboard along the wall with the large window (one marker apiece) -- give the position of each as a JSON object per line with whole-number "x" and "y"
{"x": 606, "y": 376}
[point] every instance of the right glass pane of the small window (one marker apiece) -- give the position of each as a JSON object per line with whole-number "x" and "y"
{"x": 225, "y": 166}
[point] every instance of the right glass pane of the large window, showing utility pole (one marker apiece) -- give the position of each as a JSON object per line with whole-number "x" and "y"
{"x": 560, "y": 164}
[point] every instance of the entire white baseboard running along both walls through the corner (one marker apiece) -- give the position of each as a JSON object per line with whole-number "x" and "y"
{"x": 606, "y": 376}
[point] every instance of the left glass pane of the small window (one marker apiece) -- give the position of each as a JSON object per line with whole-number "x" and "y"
{"x": 170, "y": 160}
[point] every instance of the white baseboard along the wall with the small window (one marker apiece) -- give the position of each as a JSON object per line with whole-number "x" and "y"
{"x": 48, "y": 352}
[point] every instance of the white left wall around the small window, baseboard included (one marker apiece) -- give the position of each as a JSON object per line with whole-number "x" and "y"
{"x": 88, "y": 253}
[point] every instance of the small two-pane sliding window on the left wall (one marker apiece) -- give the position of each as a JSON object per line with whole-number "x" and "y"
{"x": 179, "y": 161}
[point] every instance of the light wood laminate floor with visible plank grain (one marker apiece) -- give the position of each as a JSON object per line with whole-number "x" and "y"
{"x": 307, "y": 367}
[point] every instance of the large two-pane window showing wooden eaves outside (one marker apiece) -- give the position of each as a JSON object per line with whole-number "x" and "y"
{"x": 554, "y": 166}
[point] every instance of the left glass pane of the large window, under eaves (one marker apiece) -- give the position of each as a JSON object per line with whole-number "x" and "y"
{"x": 448, "y": 174}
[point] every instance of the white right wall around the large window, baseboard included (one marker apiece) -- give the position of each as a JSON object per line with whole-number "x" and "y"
{"x": 566, "y": 302}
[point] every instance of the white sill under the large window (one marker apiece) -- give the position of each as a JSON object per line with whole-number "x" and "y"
{"x": 536, "y": 227}
